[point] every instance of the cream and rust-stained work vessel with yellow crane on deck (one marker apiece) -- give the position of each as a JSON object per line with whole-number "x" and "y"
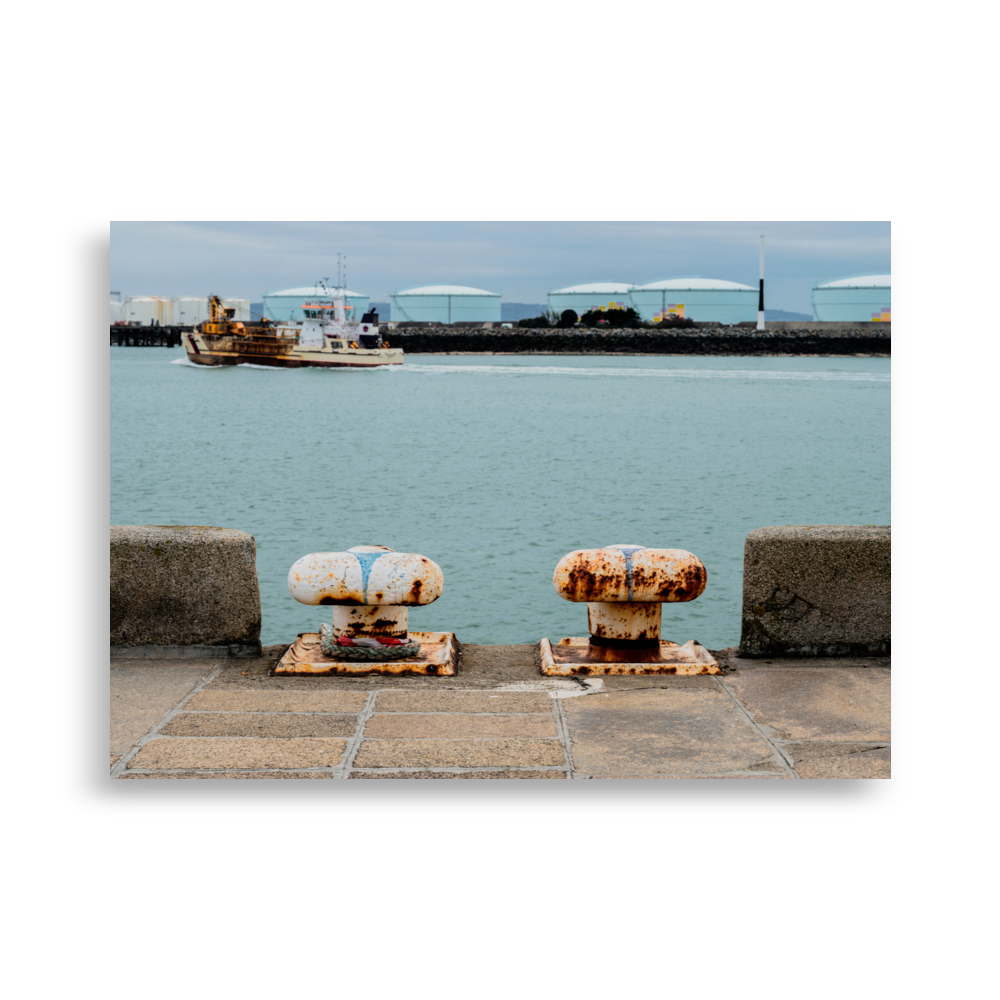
{"x": 318, "y": 341}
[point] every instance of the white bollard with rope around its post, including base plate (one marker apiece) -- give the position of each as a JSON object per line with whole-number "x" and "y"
{"x": 371, "y": 589}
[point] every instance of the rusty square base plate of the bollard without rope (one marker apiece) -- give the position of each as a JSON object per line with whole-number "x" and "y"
{"x": 568, "y": 657}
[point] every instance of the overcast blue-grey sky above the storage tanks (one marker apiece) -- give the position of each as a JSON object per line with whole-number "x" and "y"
{"x": 521, "y": 260}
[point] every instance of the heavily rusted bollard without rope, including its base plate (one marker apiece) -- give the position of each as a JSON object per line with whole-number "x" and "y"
{"x": 625, "y": 588}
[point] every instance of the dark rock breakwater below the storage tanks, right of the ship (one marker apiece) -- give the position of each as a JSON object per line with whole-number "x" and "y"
{"x": 708, "y": 341}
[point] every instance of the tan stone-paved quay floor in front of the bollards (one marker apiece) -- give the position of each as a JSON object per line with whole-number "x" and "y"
{"x": 498, "y": 718}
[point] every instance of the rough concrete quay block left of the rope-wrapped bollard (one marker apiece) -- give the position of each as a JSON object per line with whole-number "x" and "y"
{"x": 179, "y": 592}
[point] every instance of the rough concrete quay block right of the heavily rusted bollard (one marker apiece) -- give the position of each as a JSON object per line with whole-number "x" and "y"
{"x": 817, "y": 590}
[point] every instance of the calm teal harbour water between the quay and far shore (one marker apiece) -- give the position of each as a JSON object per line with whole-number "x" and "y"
{"x": 495, "y": 467}
